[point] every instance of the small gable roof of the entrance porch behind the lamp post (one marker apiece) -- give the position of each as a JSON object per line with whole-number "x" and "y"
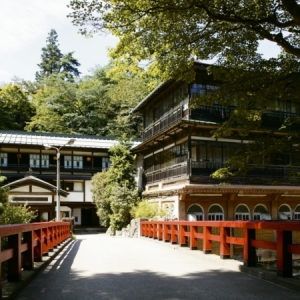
{"x": 32, "y": 180}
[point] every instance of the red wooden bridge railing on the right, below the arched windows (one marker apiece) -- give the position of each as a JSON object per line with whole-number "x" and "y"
{"x": 188, "y": 233}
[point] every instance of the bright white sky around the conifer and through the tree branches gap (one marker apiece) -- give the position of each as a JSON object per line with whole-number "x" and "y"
{"x": 24, "y": 27}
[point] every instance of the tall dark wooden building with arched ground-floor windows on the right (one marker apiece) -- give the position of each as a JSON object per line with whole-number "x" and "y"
{"x": 180, "y": 155}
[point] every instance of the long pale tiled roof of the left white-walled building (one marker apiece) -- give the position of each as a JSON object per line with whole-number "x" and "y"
{"x": 55, "y": 139}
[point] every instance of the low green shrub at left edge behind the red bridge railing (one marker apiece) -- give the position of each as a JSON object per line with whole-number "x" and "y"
{"x": 13, "y": 214}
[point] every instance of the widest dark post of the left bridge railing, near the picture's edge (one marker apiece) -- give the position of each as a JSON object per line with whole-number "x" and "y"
{"x": 14, "y": 264}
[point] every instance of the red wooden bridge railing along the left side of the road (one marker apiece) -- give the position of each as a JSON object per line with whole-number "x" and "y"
{"x": 22, "y": 244}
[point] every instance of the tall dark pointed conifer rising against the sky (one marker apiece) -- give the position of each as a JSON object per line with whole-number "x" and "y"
{"x": 54, "y": 62}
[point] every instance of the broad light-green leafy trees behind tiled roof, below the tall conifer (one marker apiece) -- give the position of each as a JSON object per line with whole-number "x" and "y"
{"x": 95, "y": 105}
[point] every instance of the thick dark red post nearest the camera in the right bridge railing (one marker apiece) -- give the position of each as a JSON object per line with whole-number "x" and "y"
{"x": 284, "y": 258}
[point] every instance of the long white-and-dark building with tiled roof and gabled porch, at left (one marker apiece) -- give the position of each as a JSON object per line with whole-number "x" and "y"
{"x": 31, "y": 172}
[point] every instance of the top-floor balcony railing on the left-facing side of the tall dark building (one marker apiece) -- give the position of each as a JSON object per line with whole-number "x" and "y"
{"x": 163, "y": 123}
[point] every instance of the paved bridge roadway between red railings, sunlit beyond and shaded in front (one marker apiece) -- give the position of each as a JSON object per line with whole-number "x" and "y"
{"x": 101, "y": 267}
